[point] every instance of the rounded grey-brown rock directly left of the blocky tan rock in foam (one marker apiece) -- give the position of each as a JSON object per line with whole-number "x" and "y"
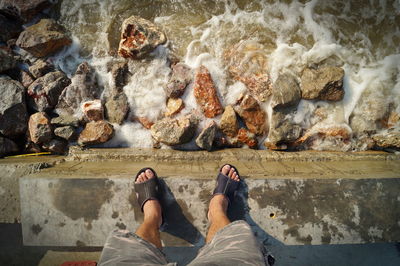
{"x": 285, "y": 92}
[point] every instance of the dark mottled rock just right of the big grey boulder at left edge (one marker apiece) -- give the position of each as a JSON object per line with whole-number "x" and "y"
{"x": 45, "y": 91}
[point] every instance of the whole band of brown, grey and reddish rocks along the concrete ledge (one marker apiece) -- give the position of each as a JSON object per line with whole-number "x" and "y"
{"x": 42, "y": 109}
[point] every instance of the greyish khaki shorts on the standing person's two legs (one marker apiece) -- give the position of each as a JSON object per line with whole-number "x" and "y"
{"x": 234, "y": 244}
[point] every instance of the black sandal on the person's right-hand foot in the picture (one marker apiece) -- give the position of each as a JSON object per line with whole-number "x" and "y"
{"x": 225, "y": 185}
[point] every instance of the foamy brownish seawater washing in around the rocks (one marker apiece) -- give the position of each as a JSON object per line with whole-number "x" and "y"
{"x": 362, "y": 37}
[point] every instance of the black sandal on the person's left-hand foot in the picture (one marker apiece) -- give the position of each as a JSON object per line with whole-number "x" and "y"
{"x": 147, "y": 190}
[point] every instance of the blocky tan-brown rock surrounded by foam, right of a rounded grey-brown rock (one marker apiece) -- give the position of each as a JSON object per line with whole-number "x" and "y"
{"x": 323, "y": 84}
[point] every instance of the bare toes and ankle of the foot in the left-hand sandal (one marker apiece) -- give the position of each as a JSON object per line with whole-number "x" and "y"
{"x": 152, "y": 208}
